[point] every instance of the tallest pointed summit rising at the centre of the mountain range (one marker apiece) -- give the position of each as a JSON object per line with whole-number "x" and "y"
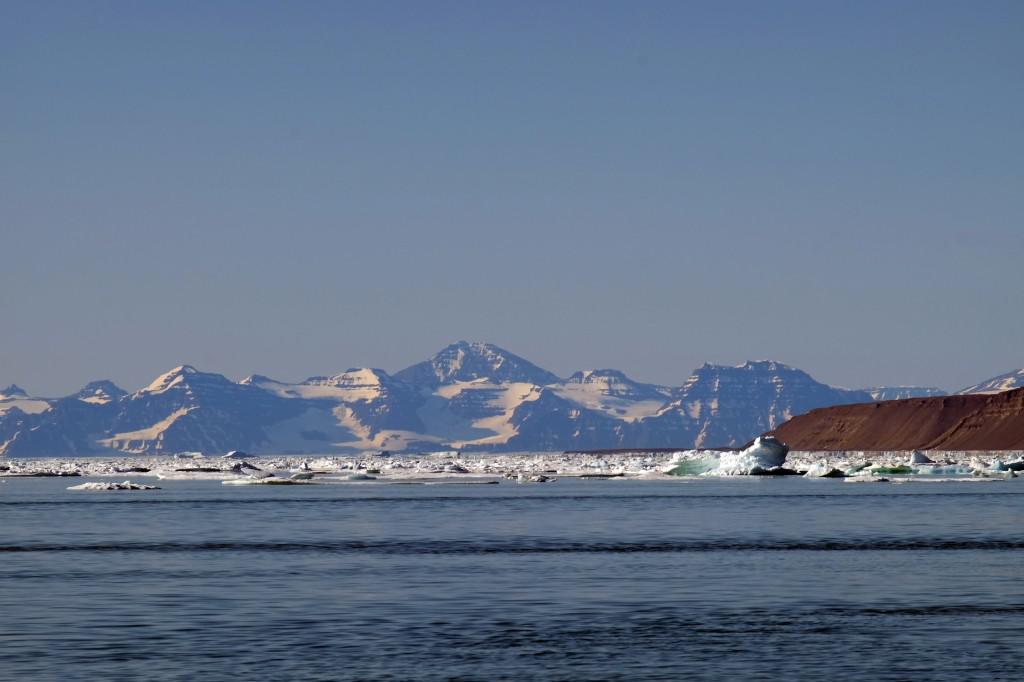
{"x": 466, "y": 361}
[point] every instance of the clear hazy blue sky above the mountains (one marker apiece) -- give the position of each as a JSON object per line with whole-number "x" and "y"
{"x": 300, "y": 188}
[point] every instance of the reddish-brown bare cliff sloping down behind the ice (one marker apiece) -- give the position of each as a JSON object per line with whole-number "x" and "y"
{"x": 952, "y": 422}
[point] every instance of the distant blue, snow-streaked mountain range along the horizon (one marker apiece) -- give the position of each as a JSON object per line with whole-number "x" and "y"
{"x": 466, "y": 397}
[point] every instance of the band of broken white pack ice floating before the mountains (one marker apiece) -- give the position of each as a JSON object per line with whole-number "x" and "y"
{"x": 532, "y": 467}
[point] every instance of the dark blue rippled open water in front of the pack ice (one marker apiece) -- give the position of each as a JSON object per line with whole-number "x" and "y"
{"x": 759, "y": 580}
